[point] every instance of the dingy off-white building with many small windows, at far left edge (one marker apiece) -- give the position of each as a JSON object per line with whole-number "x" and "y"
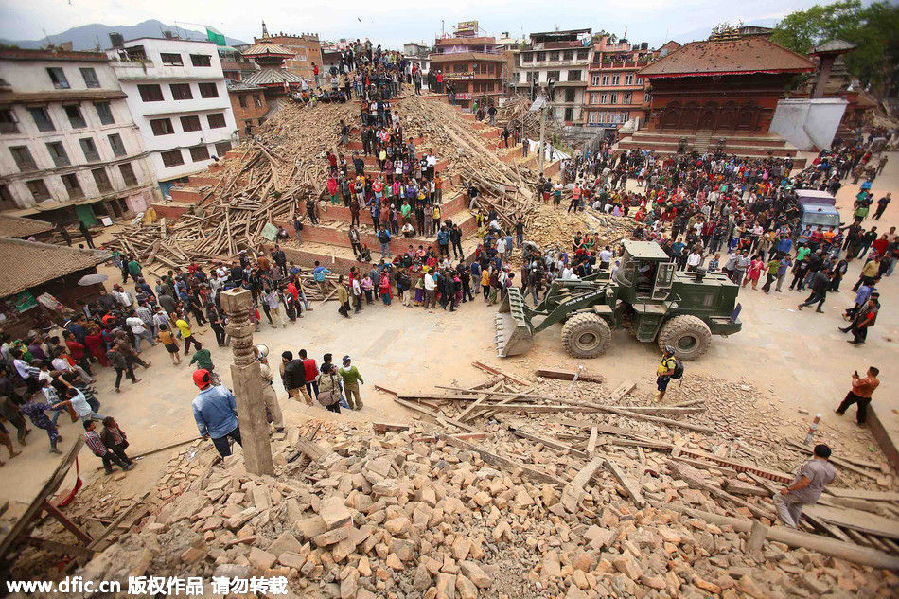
{"x": 69, "y": 146}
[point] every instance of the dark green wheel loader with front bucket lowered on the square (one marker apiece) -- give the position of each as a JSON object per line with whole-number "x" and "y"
{"x": 647, "y": 295}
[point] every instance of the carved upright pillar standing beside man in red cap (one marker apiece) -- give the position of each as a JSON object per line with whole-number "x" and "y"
{"x": 254, "y": 428}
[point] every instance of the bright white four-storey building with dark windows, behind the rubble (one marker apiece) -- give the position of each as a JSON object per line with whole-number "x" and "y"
{"x": 177, "y": 94}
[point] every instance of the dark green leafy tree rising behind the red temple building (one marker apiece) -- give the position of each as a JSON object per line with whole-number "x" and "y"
{"x": 873, "y": 29}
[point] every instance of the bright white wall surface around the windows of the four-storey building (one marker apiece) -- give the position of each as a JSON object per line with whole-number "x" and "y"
{"x": 153, "y": 71}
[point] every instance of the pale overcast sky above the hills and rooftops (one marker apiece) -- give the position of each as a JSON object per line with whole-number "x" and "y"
{"x": 396, "y": 21}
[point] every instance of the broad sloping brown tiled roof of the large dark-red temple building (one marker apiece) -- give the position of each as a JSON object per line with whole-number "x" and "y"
{"x": 742, "y": 56}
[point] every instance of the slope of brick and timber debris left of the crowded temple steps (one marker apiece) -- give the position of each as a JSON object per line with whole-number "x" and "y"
{"x": 282, "y": 164}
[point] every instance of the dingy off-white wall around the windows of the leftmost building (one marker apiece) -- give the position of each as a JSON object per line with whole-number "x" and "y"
{"x": 30, "y": 77}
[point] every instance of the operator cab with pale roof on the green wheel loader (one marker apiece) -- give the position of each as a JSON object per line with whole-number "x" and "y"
{"x": 646, "y": 271}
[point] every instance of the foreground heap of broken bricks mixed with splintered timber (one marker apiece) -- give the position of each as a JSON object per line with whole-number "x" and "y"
{"x": 492, "y": 500}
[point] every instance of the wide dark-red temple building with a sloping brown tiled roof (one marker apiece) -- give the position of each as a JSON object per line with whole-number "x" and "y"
{"x": 722, "y": 86}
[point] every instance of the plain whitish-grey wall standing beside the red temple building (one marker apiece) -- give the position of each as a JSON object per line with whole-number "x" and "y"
{"x": 808, "y": 123}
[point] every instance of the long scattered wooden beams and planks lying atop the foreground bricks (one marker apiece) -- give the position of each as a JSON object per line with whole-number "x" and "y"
{"x": 647, "y": 440}
